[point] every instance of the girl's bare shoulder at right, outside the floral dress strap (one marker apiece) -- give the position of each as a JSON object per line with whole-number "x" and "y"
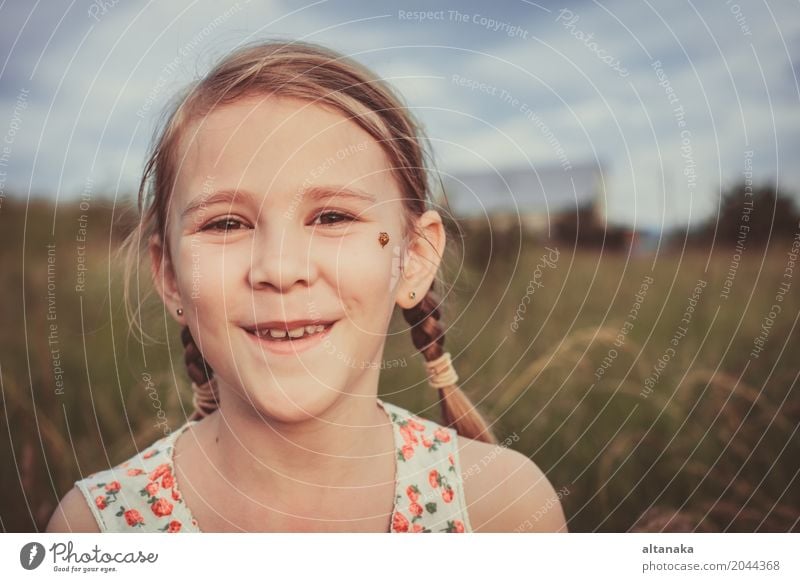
{"x": 507, "y": 492}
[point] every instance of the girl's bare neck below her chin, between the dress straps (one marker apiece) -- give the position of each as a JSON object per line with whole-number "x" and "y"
{"x": 338, "y": 448}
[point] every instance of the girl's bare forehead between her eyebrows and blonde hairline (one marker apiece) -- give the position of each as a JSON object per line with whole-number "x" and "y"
{"x": 278, "y": 145}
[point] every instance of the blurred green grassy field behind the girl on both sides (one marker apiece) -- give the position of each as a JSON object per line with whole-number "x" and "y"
{"x": 715, "y": 443}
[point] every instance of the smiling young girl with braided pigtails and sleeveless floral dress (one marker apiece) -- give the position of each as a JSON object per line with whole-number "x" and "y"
{"x": 287, "y": 216}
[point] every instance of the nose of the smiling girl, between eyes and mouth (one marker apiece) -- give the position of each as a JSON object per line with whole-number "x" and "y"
{"x": 281, "y": 257}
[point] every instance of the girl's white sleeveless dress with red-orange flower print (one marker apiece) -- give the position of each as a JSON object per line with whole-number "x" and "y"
{"x": 141, "y": 495}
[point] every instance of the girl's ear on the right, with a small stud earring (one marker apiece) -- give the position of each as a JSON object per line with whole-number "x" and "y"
{"x": 422, "y": 259}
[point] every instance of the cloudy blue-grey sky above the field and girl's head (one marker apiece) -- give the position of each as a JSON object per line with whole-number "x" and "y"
{"x": 675, "y": 100}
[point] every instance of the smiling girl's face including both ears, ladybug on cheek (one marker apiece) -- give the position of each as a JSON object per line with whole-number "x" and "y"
{"x": 274, "y": 225}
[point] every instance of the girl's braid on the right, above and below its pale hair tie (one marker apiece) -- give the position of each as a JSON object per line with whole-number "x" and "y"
{"x": 428, "y": 337}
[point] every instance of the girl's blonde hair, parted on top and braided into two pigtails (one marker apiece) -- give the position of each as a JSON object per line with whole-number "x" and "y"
{"x": 312, "y": 73}
